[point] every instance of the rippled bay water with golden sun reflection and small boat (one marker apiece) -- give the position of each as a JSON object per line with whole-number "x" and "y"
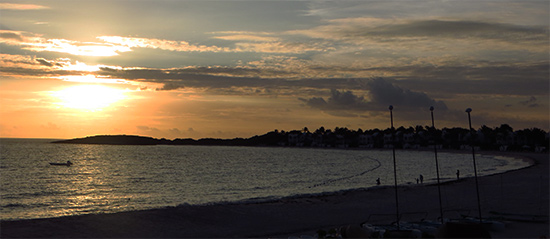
{"x": 106, "y": 178}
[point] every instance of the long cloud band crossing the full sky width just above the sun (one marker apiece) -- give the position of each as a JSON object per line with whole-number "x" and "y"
{"x": 279, "y": 74}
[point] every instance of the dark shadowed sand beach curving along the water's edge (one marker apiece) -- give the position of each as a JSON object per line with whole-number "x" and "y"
{"x": 524, "y": 191}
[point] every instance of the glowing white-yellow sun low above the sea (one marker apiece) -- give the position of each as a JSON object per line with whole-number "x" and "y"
{"x": 89, "y": 97}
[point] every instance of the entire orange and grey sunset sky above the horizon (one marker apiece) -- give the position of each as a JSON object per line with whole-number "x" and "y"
{"x": 225, "y": 69}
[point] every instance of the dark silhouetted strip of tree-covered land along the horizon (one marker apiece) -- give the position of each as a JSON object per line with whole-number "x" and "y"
{"x": 498, "y": 138}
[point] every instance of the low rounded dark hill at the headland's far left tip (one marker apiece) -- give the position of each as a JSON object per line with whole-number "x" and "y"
{"x": 113, "y": 140}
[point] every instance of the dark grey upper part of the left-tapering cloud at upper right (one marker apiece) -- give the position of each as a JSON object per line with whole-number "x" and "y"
{"x": 438, "y": 29}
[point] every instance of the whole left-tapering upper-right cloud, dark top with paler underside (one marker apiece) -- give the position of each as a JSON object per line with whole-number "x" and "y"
{"x": 422, "y": 36}
